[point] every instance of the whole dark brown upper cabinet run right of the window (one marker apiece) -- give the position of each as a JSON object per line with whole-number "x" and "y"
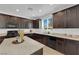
{"x": 68, "y": 18}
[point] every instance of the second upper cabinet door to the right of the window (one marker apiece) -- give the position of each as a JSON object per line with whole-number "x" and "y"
{"x": 71, "y": 17}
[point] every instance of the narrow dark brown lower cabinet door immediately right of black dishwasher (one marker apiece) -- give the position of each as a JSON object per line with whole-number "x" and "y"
{"x": 60, "y": 45}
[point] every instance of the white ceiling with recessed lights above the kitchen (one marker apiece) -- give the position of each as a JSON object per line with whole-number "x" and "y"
{"x": 32, "y": 11}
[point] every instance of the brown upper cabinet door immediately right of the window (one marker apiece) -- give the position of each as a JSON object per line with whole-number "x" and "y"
{"x": 59, "y": 19}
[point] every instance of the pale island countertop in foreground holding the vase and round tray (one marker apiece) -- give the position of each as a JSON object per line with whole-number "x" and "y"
{"x": 28, "y": 47}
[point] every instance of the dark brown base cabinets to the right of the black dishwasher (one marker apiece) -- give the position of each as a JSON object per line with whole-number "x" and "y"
{"x": 67, "y": 46}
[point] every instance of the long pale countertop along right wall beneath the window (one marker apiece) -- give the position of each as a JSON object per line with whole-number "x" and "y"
{"x": 65, "y": 36}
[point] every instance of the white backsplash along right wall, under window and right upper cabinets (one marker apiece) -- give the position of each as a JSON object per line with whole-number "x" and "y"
{"x": 70, "y": 31}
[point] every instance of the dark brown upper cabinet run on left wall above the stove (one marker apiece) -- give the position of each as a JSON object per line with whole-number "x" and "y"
{"x": 9, "y": 21}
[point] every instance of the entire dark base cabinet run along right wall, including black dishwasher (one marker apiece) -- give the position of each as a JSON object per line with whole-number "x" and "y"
{"x": 65, "y": 46}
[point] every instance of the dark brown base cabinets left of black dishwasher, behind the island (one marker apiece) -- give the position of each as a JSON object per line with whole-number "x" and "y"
{"x": 40, "y": 38}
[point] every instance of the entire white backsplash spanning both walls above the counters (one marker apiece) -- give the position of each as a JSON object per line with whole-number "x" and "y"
{"x": 74, "y": 31}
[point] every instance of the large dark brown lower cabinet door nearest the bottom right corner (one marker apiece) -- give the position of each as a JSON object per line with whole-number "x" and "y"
{"x": 70, "y": 47}
